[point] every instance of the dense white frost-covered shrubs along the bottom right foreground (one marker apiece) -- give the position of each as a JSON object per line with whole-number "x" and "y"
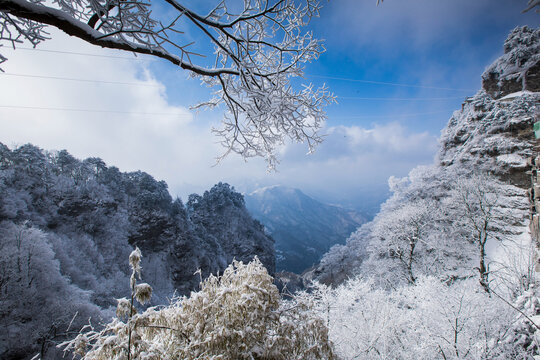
{"x": 430, "y": 320}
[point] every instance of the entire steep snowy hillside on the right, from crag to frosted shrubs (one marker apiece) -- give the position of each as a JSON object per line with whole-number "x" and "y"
{"x": 448, "y": 269}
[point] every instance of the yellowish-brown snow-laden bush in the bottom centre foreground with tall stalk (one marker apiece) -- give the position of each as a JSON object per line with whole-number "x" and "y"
{"x": 237, "y": 315}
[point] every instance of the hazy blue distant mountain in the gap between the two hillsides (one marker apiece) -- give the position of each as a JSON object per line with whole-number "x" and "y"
{"x": 303, "y": 228}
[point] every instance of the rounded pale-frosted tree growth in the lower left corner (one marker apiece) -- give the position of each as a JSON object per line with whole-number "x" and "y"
{"x": 37, "y": 303}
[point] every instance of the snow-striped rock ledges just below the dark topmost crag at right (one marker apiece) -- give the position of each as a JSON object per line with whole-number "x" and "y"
{"x": 493, "y": 135}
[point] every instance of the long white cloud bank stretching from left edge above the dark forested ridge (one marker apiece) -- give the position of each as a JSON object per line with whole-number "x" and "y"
{"x": 178, "y": 147}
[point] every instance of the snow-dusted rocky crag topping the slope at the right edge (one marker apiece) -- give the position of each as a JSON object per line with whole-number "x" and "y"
{"x": 493, "y": 130}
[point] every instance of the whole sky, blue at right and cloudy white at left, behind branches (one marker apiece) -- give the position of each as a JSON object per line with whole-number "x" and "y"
{"x": 433, "y": 52}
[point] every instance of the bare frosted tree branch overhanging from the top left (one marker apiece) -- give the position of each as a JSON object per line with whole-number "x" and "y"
{"x": 257, "y": 49}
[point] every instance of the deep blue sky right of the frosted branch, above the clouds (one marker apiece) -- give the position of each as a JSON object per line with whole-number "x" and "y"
{"x": 444, "y": 44}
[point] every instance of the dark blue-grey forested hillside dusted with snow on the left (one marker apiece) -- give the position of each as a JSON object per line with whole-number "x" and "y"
{"x": 68, "y": 226}
